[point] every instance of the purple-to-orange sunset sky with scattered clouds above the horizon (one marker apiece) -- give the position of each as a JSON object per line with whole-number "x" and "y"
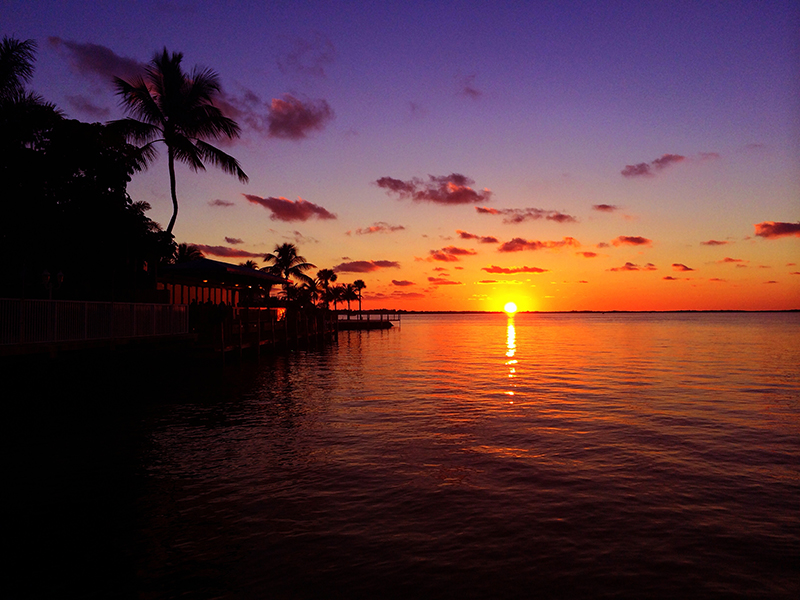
{"x": 460, "y": 155}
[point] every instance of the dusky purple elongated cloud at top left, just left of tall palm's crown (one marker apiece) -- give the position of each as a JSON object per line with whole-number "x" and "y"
{"x": 99, "y": 62}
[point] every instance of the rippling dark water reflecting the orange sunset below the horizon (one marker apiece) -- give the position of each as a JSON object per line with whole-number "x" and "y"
{"x": 469, "y": 456}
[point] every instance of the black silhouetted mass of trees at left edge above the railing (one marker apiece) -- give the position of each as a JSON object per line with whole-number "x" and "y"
{"x": 69, "y": 229}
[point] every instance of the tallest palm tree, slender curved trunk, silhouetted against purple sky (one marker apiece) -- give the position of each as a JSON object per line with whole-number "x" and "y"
{"x": 177, "y": 108}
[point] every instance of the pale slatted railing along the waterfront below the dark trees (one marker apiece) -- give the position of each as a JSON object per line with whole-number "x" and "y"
{"x": 47, "y": 321}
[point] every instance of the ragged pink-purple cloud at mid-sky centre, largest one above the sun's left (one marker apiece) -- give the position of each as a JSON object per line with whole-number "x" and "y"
{"x": 444, "y": 189}
